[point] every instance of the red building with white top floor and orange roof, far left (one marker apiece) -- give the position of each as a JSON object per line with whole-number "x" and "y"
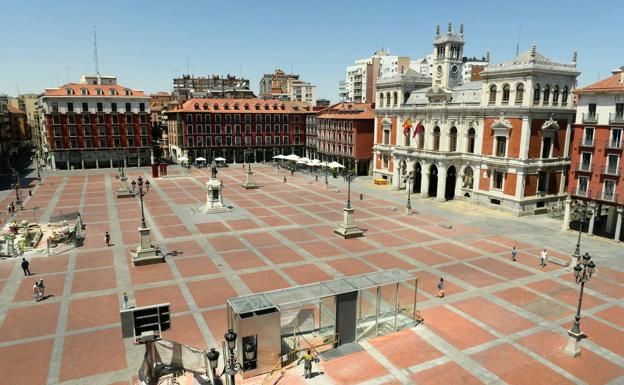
{"x": 95, "y": 123}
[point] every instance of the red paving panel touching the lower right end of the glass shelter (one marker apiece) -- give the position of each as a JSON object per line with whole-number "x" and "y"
{"x": 455, "y": 329}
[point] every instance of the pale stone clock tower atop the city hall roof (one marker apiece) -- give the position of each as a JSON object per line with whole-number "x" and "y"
{"x": 448, "y": 52}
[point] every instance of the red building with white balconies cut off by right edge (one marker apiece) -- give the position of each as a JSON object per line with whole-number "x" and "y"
{"x": 596, "y": 158}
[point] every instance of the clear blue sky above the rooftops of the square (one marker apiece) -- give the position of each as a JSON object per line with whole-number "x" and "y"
{"x": 148, "y": 43}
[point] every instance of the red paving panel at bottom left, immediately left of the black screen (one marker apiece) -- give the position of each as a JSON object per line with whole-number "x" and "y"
{"x": 106, "y": 353}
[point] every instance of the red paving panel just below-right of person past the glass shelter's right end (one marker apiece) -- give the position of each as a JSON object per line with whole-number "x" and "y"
{"x": 493, "y": 315}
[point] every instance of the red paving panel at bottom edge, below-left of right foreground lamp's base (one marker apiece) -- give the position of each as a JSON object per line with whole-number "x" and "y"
{"x": 516, "y": 367}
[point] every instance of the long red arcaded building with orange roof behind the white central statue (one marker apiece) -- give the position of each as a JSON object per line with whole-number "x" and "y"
{"x": 212, "y": 128}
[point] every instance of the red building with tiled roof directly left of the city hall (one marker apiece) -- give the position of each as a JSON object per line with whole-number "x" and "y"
{"x": 345, "y": 134}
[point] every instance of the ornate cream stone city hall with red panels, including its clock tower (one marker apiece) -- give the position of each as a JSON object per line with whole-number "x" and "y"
{"x": 503, "y": 141}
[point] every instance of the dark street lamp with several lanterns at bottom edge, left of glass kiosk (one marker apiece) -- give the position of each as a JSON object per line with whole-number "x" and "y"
{"x": 232, "y": 366}
